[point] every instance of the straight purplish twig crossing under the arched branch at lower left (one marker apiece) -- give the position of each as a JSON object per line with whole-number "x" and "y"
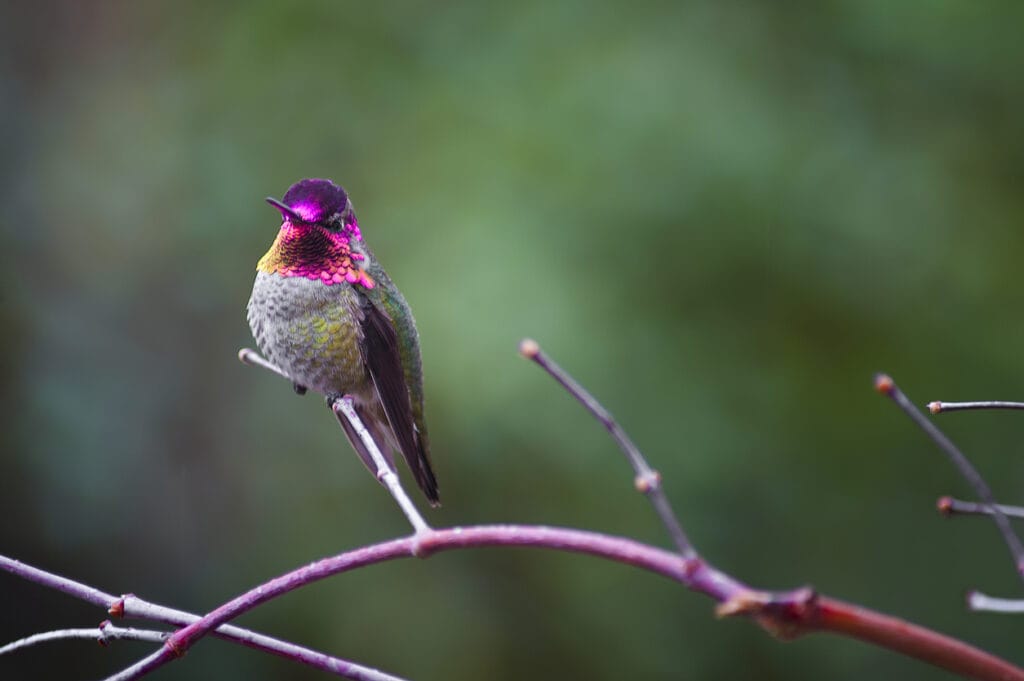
{"x": 134, "y": 608}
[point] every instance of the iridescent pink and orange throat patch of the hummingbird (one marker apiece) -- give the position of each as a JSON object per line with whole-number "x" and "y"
{"x": 317, "y": 253}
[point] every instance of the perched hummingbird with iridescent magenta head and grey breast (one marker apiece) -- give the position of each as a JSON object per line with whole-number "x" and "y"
{"x": 325, "y": 312}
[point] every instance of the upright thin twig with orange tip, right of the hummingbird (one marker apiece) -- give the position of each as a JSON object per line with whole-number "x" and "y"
{"x": 648, "y": 481}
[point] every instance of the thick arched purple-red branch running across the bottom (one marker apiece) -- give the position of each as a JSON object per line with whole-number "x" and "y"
{"x": 788, "y": 615}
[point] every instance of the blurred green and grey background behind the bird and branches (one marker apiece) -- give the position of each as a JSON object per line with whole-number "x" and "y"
{"x": 723, "y": 218}
